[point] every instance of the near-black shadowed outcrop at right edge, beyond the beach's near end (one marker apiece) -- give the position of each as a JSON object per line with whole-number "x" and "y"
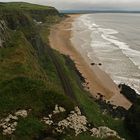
{"x": 132, "y": 119}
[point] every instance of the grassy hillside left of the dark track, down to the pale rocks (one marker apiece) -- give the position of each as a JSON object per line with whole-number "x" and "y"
{"x": 26, "y": 70}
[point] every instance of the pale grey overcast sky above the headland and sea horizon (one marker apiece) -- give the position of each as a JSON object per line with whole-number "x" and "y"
{"x": 88, "y": 4}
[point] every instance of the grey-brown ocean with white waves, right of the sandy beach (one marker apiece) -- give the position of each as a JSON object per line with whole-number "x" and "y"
{"x": 112, "y": 39}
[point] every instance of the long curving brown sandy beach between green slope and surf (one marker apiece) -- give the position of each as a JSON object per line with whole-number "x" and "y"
{"x": 98, "y": 81}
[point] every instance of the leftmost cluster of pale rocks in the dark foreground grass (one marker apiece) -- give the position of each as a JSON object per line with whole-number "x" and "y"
{"x": 9, "y": 123}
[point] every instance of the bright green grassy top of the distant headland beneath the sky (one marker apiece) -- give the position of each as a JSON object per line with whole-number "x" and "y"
{"x": 23, "y": 6}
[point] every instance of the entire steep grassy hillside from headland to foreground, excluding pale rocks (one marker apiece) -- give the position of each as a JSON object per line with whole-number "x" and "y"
{"x": 30, "y": 77}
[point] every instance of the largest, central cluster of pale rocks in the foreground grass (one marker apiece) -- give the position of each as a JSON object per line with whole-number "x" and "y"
{"x": 75, "y": 120}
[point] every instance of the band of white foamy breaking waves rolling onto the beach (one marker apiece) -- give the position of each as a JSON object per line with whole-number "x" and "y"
{"x": 115, "y": 53}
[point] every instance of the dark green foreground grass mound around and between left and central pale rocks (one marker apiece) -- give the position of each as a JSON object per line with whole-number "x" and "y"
{"x": 33, "y": 95}
